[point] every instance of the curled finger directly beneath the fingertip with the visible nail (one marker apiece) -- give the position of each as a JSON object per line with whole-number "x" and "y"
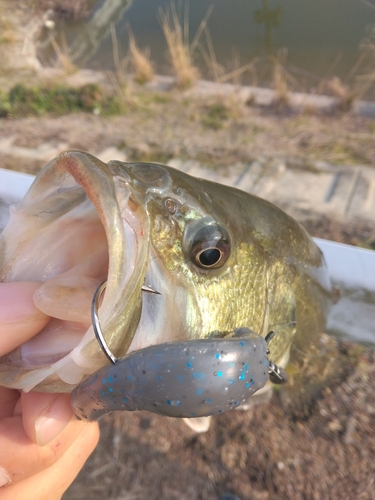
{"x": 21, "y": 458}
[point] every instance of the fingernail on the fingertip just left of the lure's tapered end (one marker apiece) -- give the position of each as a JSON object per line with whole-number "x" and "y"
{"x": 53, "y": 420}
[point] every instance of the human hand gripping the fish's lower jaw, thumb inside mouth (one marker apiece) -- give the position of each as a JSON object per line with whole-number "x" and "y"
{"x": 42, "y": 445}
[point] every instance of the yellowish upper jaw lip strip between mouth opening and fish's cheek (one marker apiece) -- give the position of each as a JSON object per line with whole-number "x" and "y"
{"x": 126, "y": 219}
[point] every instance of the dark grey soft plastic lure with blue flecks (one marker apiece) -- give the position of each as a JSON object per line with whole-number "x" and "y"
{"x": 193, "y": 378}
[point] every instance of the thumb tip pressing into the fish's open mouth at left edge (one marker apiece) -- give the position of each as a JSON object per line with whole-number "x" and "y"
{"x": 20, "y": 319}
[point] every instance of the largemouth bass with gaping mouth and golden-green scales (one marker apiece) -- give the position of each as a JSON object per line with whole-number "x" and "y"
{"x": 220, "y": 259}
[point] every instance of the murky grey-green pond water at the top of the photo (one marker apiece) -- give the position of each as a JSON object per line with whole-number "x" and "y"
{"x": 320, "y": 39}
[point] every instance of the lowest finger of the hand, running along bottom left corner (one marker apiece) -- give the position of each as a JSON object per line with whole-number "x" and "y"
{"x": 51, "y": 483}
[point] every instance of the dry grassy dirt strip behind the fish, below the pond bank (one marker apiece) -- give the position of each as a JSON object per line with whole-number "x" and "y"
{"x": 216, "y": 131}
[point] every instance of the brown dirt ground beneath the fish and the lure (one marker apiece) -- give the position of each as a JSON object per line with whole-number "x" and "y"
{"x": 269, "y": 452}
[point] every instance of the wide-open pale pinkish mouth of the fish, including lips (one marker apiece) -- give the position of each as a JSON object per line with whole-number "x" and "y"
{"x": 80, "y": 224}
